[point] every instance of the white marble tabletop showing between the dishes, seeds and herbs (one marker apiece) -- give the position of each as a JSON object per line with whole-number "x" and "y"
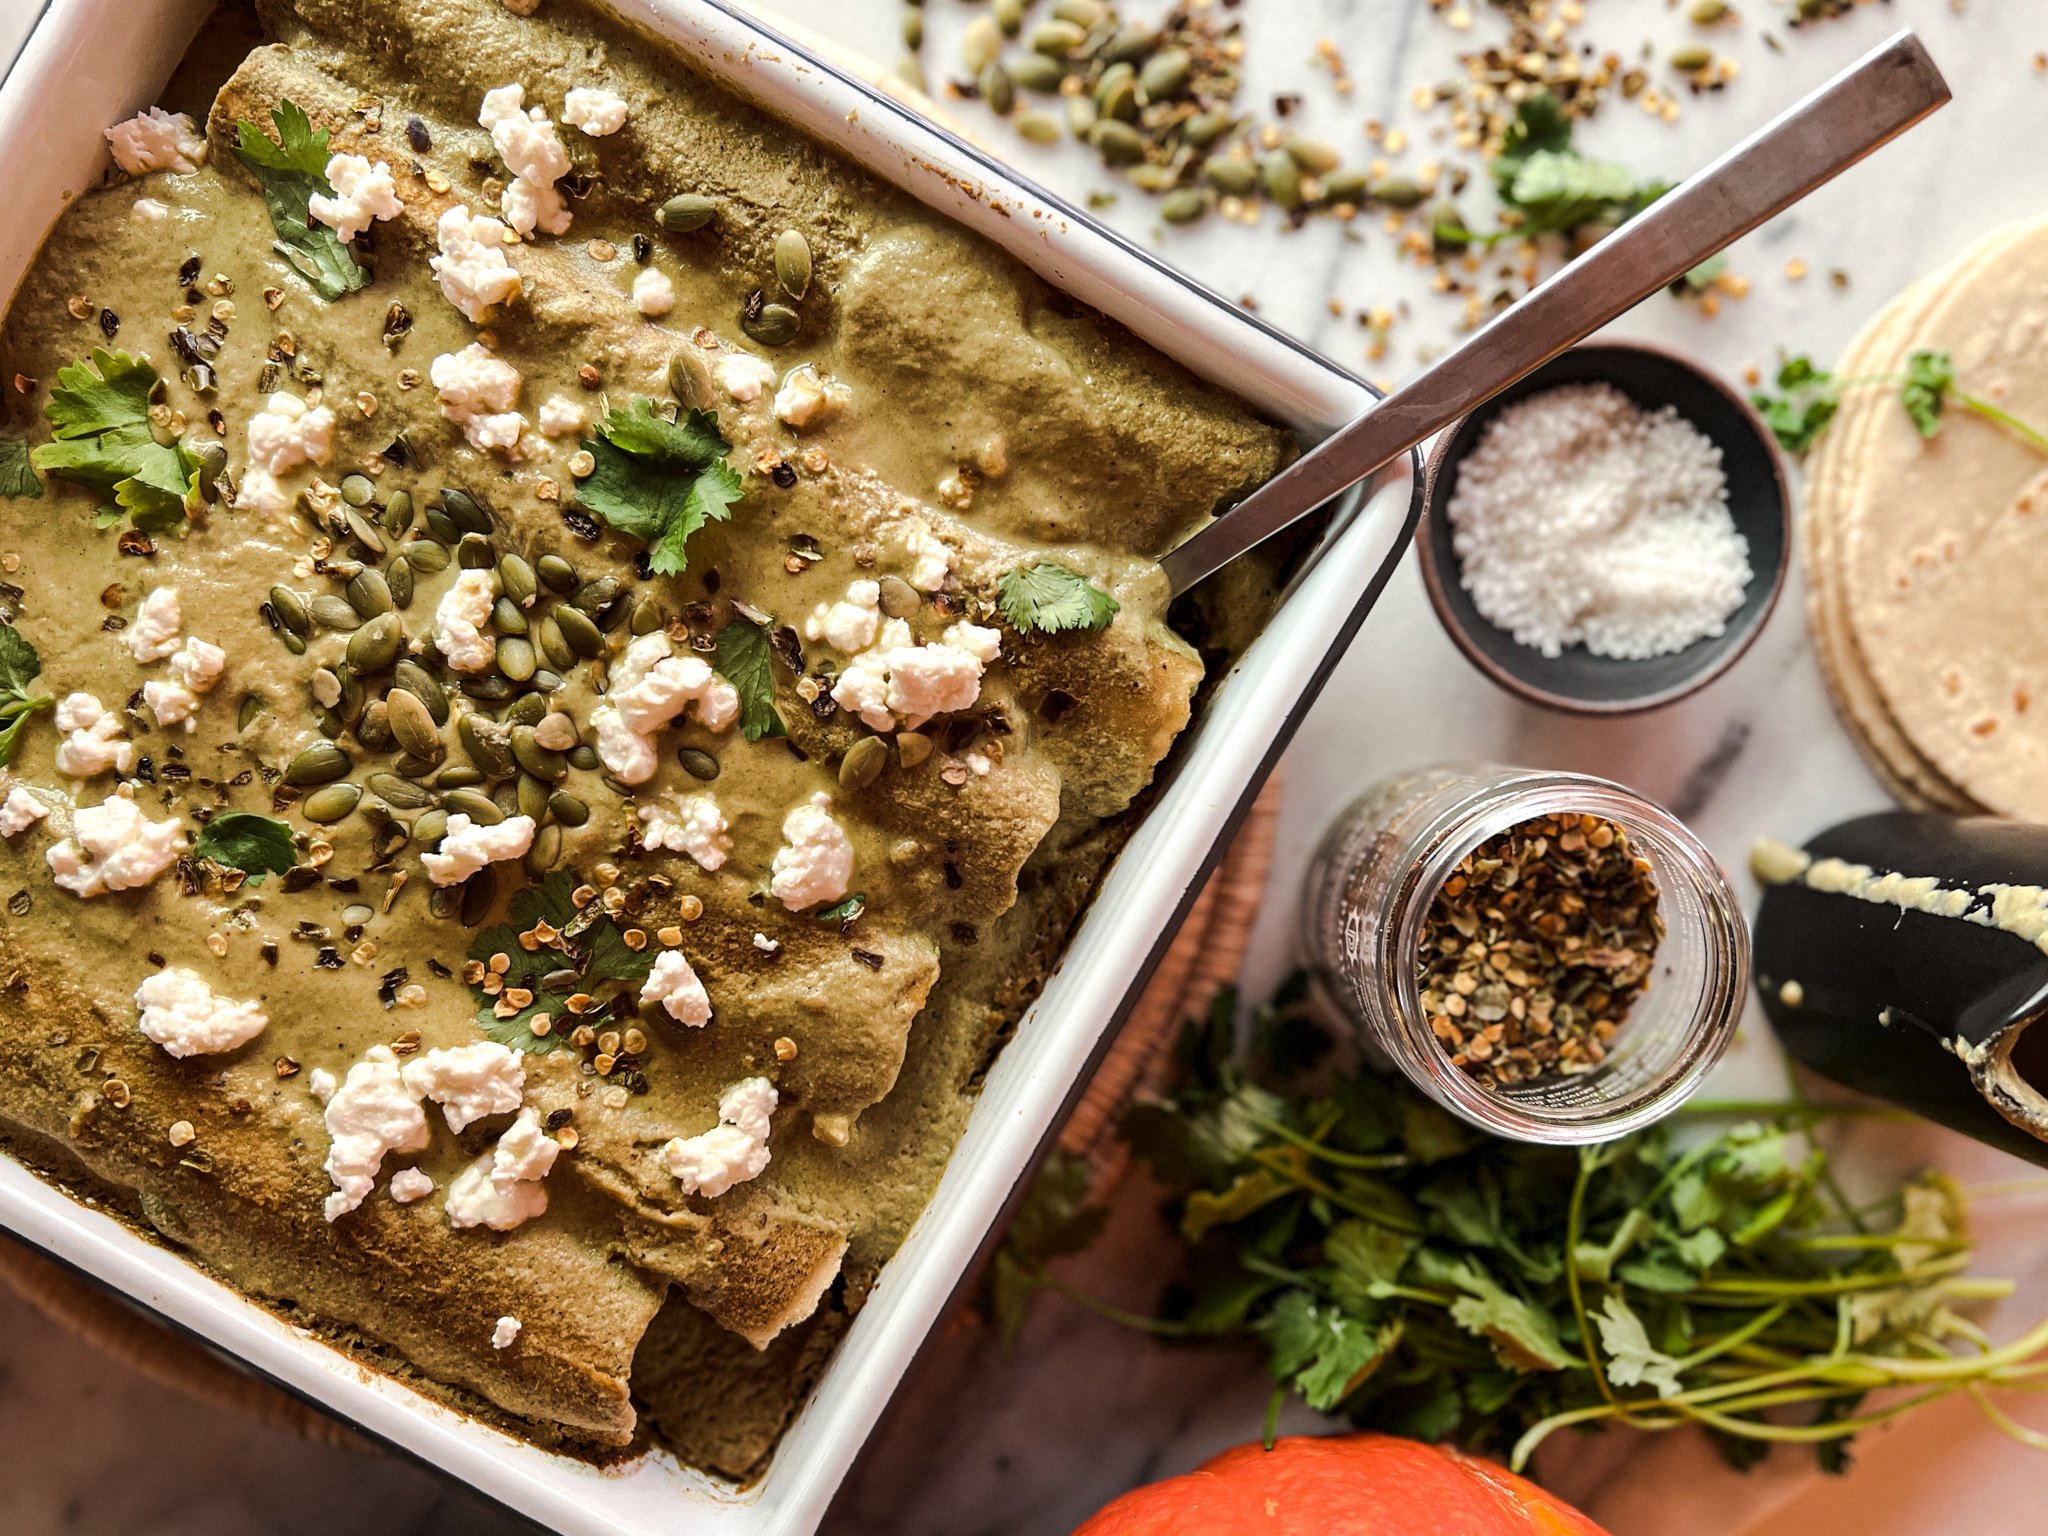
{"x": 1033, "y": 1443}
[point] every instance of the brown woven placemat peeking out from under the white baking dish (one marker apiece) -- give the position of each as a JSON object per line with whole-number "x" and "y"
{"x": 1203, "y": 957}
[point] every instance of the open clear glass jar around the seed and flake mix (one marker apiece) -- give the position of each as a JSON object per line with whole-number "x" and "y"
{"x": 1377, "y": 876}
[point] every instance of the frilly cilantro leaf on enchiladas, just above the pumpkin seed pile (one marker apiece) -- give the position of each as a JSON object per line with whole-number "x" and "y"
{"x": 660, "y": 480}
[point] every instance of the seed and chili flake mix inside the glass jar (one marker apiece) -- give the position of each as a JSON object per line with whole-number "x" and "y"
{"x": 1535, "y": 949}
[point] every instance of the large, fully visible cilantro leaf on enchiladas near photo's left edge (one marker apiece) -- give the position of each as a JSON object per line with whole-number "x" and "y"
{"x": 105, "y": 439}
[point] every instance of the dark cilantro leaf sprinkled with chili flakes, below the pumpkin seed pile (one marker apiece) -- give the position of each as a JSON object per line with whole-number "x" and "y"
{"x": 587, "y": 943}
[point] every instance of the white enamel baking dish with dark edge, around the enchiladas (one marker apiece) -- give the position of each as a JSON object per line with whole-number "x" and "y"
{"x": 91, "y": 62}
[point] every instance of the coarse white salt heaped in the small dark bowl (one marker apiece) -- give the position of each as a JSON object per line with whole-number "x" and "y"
{"x": 1582, "y": 519}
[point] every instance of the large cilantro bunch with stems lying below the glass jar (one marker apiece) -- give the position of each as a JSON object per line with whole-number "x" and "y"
{"x": 1426, "y": 1279}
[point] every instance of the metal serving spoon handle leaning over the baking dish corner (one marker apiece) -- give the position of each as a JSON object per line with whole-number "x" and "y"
{"x": 1865, "y": 108}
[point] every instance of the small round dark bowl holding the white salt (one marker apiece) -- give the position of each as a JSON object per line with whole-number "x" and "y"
{"x": 1758, "y": 501}
